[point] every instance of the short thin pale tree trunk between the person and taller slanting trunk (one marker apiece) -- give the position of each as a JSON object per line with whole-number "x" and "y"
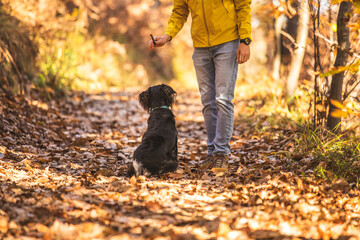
{"x": 277, "y": 56}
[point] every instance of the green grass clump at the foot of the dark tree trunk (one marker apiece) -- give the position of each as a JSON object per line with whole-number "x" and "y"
{"x": 333, "y": 156}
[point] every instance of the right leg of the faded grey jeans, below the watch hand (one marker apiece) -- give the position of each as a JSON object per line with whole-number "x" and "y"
{"x": 226, "y": 69}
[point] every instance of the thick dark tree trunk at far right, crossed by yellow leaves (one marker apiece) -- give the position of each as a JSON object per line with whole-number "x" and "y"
{"x": 334, "y": 123}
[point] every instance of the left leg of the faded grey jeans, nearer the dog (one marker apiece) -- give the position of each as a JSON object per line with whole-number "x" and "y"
{"x": 205, "y": 74}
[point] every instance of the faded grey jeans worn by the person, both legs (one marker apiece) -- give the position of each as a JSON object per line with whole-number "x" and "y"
{"x": 216, "y": 71}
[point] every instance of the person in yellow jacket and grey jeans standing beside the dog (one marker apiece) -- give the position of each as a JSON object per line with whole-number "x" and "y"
{"x": 221, "y": 34}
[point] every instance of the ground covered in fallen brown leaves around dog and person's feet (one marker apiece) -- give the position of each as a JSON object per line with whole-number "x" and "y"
{"x": 63, "y": 176}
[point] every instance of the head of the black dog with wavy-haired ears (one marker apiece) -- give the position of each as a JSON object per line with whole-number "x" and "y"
{"x": 157, "y": 96}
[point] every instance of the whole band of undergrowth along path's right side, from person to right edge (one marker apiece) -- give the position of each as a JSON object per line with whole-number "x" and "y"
{"x": 328, "y": 155}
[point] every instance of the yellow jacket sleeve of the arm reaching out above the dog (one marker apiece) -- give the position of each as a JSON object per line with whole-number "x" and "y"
{"x": 178, "y": 17}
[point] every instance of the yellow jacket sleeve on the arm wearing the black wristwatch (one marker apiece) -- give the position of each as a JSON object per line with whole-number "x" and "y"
{"x": 242, "y": 8}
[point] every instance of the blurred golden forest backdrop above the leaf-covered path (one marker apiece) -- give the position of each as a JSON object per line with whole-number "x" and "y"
{"x": 93, "y": 45}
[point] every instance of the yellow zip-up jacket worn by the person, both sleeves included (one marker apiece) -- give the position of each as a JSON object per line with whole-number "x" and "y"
{"x": 213, "y": 21}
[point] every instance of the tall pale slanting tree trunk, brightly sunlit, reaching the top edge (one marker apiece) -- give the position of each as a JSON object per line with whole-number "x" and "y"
{"x": 298, "y": 56}
